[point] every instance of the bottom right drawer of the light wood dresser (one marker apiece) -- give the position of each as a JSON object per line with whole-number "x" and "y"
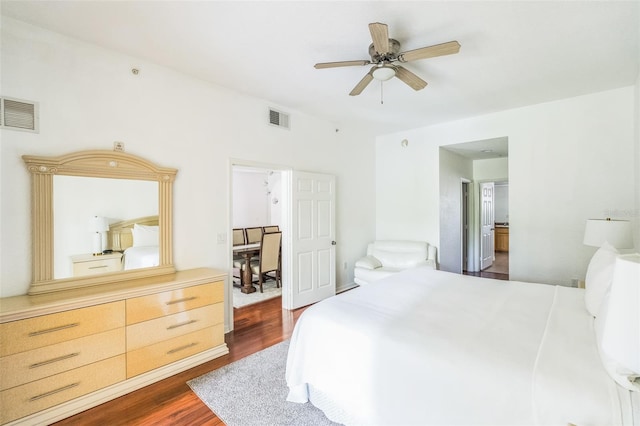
{"x": 149, "y": 357}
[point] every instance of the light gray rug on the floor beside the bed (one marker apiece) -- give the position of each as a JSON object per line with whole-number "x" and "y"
{"x": 253, "y": 391}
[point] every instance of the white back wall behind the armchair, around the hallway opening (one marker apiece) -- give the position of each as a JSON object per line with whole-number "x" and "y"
{"x": 569, "y": 160}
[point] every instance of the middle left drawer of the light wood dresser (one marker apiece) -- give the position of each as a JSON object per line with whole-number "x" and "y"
{"x": 38, "y": 363}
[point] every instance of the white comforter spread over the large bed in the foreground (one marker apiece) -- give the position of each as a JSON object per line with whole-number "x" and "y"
{"x": 431, "y": 347}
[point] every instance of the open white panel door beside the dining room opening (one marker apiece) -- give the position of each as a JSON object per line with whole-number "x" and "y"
{"x": 313, "y": 238}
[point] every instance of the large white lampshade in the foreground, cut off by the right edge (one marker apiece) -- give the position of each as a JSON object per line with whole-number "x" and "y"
{"x": 621, "y": 335}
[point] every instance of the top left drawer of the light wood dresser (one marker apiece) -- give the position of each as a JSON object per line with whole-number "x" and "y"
{"x": 45, "y": 330}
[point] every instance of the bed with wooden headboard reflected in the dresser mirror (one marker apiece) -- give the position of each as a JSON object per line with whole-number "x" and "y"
{"x": 138, "y": 240}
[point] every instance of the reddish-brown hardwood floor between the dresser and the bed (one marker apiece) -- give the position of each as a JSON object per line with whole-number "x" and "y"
{"x": 171, "y": 401}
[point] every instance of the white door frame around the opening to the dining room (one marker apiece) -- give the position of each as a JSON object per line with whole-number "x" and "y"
{"x": 285, "y": 200}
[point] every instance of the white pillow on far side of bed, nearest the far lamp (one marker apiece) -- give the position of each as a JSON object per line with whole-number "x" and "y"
{"x": 599, "y": 277}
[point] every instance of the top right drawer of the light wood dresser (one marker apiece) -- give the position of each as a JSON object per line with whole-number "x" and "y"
{"x": 170, "y": 302}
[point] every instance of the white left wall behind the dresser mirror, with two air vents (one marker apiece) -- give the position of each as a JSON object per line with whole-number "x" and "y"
{"x": 89, "y": 98}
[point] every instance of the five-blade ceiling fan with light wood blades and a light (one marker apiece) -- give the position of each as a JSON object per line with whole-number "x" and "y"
{"x": 385, "y": 55}
